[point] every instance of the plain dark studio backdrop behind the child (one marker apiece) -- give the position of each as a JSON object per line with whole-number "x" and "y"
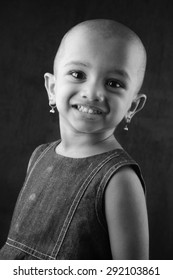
{"x": 30, "y": 32}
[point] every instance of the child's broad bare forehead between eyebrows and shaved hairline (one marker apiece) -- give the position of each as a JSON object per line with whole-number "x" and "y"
{"x": 85, "y": 43}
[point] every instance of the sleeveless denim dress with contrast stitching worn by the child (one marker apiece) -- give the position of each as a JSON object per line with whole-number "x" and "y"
{"x": 59, "y": 214}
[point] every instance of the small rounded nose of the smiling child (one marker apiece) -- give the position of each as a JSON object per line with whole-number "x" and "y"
{"x": 93, "y": 91}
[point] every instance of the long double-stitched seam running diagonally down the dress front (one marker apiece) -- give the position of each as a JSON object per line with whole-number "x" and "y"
{"x": 76, "y": 201}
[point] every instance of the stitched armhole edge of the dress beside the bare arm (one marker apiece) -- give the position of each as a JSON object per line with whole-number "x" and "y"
{"x": 109, "y": 174}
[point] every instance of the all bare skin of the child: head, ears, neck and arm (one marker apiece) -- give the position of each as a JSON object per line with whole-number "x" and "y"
{"x": 100, "y": 65}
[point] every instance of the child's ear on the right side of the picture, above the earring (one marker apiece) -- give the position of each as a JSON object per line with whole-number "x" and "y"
{"x": 137, "y": 105}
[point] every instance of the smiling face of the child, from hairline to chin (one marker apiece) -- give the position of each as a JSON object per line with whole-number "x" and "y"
{"x": 95, "y": 82}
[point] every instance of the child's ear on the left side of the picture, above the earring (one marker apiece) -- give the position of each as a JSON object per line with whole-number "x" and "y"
{"x": 49, "y": 82}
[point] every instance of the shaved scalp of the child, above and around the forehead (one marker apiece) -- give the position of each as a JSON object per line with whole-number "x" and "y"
{"x": 106, "y": 29}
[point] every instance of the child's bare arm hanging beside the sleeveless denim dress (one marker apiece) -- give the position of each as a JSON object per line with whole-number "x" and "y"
{"x": 126, "y": 215}
